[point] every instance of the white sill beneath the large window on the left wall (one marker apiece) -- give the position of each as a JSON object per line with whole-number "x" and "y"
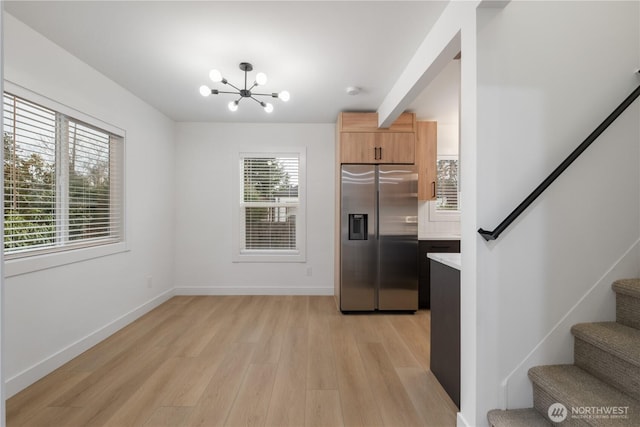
{"x": 30, "y": 264}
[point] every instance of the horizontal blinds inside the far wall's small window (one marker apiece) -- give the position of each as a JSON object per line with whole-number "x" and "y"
{"x": 269, "y": 203}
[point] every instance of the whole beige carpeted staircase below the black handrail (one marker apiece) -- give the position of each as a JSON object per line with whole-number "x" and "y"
{"x": 602, "y": 387}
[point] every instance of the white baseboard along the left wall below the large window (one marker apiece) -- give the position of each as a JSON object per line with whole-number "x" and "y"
{"x": 32, "y": 374}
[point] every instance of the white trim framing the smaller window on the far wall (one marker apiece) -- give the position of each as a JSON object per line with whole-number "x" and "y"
{"x": 298, "y": 255}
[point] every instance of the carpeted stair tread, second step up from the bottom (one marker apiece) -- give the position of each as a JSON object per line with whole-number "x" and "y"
{"x": 576, "y": 388}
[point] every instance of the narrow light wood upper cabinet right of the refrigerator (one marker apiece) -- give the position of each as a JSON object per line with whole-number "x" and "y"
{"x": 426, "y": 151}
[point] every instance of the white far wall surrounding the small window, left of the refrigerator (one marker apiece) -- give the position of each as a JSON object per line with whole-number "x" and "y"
{"x": 206, "y": 200}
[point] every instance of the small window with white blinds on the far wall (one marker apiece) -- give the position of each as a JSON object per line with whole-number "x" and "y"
{"x": 271, "y": 194}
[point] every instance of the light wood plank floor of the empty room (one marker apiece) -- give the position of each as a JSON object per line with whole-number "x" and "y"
{"x": 247, "y": 361}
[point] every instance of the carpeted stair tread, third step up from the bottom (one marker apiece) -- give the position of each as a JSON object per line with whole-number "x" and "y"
{"x": 619, "y": 340}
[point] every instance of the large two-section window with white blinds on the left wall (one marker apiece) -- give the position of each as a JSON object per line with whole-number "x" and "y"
{"x": 62, "y": 181}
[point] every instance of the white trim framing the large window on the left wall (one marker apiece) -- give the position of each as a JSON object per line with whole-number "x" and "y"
{"x": 42, "y": 260}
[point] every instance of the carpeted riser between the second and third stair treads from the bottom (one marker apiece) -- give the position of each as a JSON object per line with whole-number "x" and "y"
{"x": 608, "y": 368}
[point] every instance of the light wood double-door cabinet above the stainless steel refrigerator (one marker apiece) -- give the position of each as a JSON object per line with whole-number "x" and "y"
{"x": 361, "y": 141}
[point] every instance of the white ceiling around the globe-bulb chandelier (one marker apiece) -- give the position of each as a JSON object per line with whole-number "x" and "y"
{"x": 162, "y": 51}
